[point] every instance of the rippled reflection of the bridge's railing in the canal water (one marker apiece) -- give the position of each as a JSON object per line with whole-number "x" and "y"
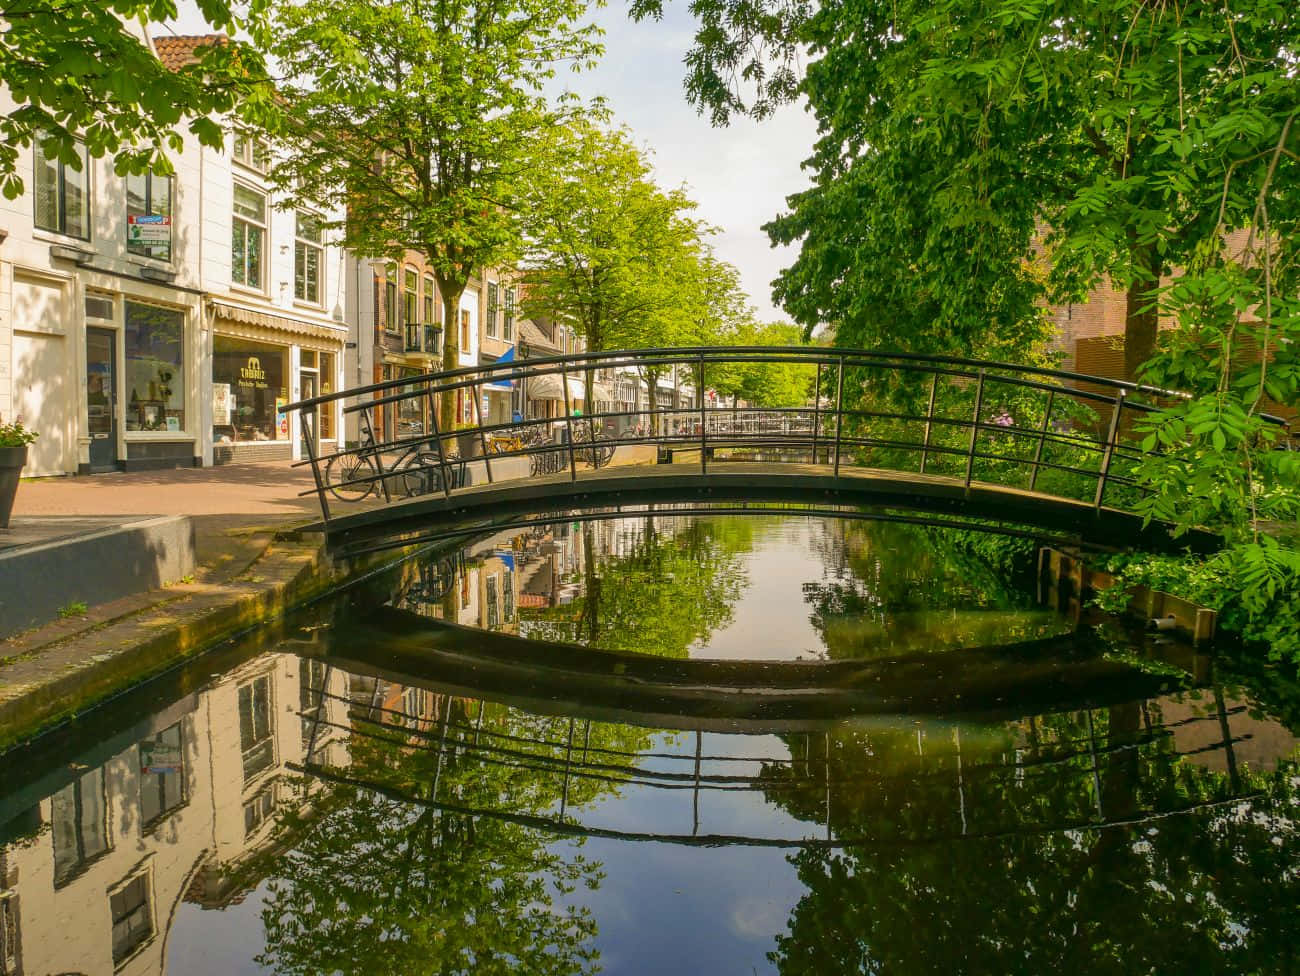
{"x": 809, "y": 770}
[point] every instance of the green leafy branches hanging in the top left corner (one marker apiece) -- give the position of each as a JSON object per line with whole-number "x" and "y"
{"x": 81, "y": 71}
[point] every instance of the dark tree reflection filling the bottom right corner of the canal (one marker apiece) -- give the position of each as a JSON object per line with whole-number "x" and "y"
{"x": 1210, "y": 890}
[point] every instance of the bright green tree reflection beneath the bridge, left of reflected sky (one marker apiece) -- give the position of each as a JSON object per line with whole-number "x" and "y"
{"x": 666, "y": 592}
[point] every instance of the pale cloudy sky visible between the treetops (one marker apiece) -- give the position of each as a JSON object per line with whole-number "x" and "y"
{"x": 740, "y": 175}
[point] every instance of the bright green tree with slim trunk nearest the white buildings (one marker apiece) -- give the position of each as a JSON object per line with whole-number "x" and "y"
{"x": 423, "y": 119}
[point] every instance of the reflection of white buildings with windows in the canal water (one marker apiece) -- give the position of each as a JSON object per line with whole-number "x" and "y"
{"x": 110, "y": 854}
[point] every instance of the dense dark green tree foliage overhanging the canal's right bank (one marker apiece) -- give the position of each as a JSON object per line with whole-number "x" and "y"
{"x": 981, "y": 158}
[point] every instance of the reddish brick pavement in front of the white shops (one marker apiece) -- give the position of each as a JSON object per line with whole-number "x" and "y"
{"x": 266, "y": 493}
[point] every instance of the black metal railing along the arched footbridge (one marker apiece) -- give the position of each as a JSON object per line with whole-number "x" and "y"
{"x": 1050, "y": 432}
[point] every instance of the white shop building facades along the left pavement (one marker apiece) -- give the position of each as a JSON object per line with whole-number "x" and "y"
{"x": 163, "y": 320}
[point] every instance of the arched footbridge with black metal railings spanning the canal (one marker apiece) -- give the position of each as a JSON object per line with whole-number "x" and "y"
{"x": 851, "y": 432}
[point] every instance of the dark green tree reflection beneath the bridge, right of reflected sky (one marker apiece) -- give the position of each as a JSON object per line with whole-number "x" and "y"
{"x": 894, "y": 588}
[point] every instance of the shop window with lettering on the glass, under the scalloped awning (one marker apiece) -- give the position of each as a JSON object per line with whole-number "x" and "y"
{"x": 249, "y": 387}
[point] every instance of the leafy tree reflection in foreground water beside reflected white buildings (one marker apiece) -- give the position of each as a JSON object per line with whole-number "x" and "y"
{"x": 380, "y": 883}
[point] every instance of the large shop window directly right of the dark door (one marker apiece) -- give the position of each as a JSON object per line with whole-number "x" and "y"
{"x": 155, "y": 368}
